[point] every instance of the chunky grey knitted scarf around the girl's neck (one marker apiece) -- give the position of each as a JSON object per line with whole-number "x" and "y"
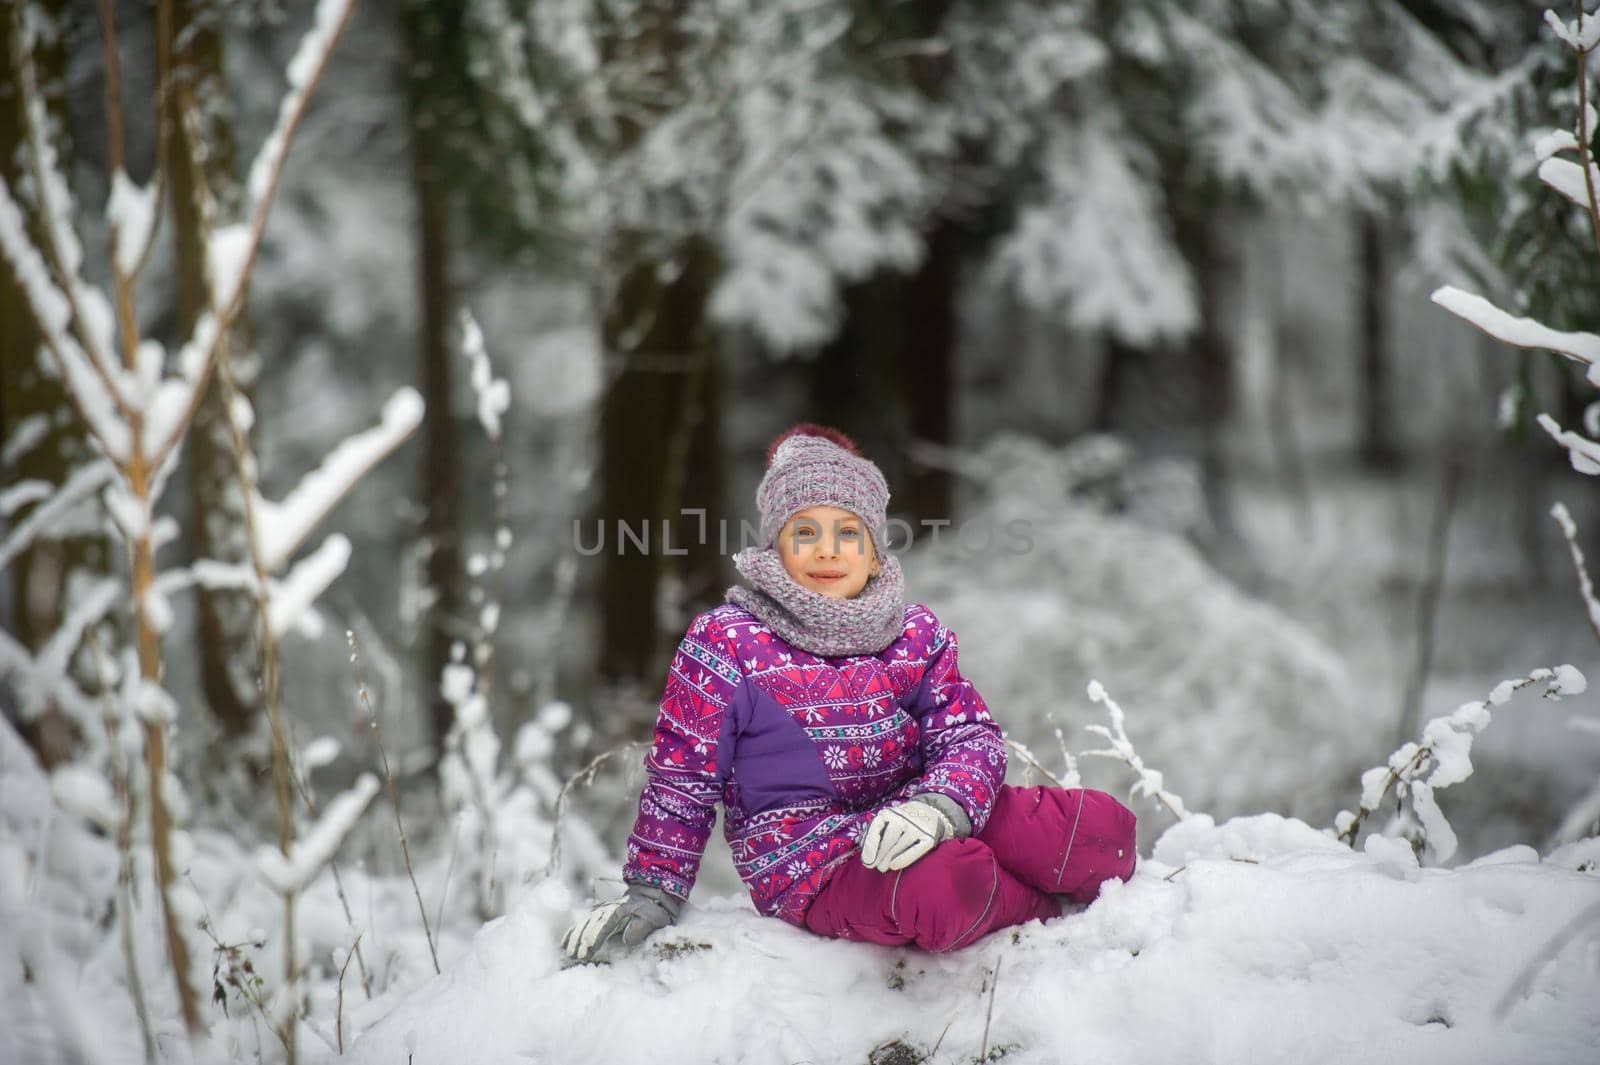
{"x": 823, "y": 624}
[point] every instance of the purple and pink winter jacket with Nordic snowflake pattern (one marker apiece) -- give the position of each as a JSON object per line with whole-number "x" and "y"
{"x": 802, "y": 751}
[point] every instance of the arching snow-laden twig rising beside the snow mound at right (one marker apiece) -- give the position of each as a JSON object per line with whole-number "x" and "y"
{"x": 1418, "y": 770}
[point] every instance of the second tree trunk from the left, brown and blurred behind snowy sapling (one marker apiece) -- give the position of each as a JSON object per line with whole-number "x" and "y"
{"x": 217, "y": 514}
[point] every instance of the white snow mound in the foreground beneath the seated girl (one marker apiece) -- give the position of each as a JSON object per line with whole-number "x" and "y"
{"x": 1254, "y": 941}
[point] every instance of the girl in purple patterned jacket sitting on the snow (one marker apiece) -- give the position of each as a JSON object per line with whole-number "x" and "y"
{"x": 860, "y": 773}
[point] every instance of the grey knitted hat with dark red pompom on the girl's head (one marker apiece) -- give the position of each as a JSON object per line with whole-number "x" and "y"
{"x": 812, "y": 466}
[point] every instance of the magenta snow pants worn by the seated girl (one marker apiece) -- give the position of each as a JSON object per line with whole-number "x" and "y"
{"x": 1041, "y": 842}
